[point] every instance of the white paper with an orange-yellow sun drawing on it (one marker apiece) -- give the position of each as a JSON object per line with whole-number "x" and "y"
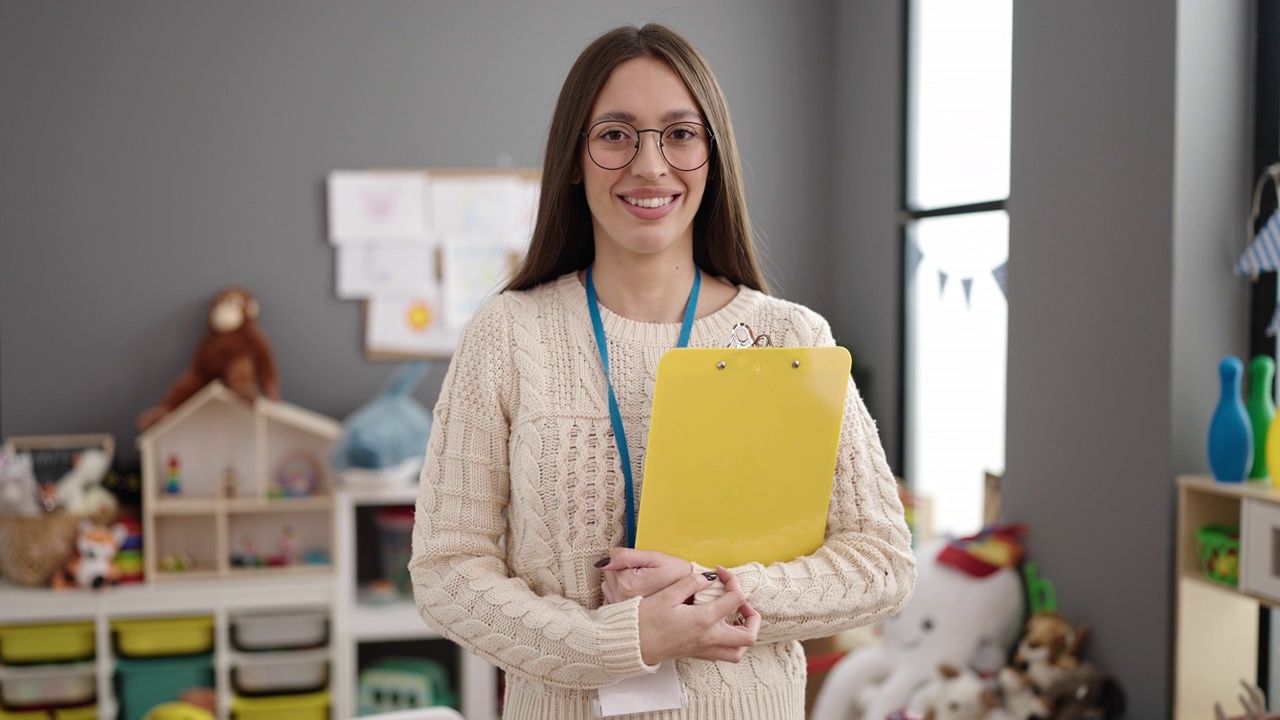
{"x": 409, "y": 326}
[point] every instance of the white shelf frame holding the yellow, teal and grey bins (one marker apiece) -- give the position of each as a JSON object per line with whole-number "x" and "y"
{"x": 220, "y": 600}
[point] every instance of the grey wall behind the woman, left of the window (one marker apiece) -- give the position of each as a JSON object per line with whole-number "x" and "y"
{"x": 154, "y": 153}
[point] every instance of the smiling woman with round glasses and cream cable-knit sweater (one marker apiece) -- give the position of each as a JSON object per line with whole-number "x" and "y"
{"x": 642, "y": 244}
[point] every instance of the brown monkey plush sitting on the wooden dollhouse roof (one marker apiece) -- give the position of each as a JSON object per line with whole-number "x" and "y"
{"x": 234, "y": 352}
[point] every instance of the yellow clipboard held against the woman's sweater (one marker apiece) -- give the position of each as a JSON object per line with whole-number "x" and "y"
{"x": 743, "y": 453}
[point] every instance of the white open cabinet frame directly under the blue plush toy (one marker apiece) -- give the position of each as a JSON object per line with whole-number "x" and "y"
{"x": 364, "y": 628}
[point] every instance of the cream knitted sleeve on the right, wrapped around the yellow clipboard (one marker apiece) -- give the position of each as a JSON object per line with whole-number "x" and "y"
{"x": 865, "y": 569}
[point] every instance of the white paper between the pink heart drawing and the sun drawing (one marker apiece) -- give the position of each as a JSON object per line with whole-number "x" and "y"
{"x": 372, "y": 268}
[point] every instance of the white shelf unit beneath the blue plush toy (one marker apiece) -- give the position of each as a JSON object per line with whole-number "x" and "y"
{"x": 359, "y": 623}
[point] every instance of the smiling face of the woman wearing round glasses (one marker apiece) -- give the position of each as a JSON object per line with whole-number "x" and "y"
{"x": 647, "y": 208}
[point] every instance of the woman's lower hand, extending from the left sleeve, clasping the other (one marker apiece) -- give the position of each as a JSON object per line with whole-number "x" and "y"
{"x": 723, "y": 630}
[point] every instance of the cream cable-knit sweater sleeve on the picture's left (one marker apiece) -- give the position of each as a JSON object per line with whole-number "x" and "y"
{"x": 461, "y": 580}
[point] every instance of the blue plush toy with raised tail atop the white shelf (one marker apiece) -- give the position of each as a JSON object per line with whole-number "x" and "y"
{"x": 390, "y": 430}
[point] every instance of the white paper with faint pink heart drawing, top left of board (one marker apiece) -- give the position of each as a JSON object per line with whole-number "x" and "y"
{"x": 378, "y": 206}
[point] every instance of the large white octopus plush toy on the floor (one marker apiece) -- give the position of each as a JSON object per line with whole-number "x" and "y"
{"x": 953, "y": 618}
